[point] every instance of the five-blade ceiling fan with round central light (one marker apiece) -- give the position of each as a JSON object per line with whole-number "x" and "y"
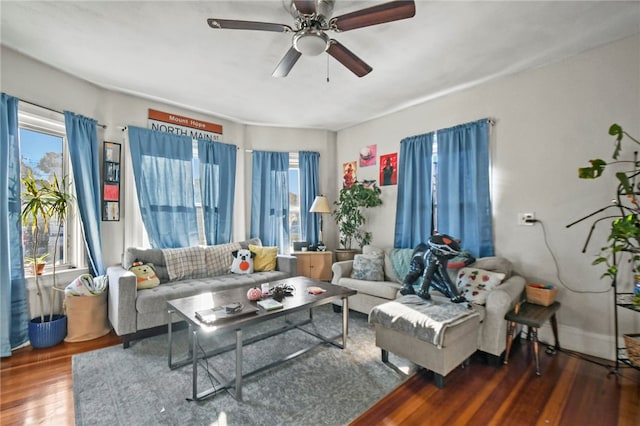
{"x": 313, "y": 19}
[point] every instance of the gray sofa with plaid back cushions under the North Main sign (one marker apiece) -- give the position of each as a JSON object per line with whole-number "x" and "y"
{"x": 182, "y": 272}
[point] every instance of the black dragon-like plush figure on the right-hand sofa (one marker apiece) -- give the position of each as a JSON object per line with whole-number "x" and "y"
{"x": 430, "y": 260}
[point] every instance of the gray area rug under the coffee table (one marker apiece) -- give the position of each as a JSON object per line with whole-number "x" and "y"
{"x": 116, "y": 386}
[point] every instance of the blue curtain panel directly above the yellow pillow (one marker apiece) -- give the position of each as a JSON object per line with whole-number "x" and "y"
{"x": 270, "y": 199}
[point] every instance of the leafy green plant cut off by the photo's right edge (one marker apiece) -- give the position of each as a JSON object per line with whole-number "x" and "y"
{"x": 624, "y": 236}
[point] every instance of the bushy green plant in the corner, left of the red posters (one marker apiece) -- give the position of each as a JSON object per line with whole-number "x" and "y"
{"x": 349, "y": 216}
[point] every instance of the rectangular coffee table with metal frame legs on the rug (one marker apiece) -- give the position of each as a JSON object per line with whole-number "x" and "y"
{"x": 186, "y": 308}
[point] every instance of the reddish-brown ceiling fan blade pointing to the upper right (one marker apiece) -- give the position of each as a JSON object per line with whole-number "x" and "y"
{"x": 387, "y": 12}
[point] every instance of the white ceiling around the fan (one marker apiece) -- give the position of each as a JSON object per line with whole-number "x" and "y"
{"x": 164, "y": 50}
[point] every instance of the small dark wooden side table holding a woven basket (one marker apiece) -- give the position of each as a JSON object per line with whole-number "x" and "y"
{"x": 533, "y": 316}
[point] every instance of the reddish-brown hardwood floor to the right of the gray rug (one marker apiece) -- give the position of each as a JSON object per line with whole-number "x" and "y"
{"x": 570, "y": 391}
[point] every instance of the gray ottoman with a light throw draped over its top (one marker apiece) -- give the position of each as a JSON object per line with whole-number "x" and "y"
{"x": 436, "y": 335}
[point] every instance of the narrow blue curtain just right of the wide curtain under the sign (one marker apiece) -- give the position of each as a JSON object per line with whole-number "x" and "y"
{"x": 217, "y": 181}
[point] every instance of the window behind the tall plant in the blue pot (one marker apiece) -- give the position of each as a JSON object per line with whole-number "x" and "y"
{"x": 43, "y": 152}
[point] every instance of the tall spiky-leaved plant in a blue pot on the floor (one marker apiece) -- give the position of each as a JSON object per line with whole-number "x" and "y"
{"x": 43, "y": 201}
